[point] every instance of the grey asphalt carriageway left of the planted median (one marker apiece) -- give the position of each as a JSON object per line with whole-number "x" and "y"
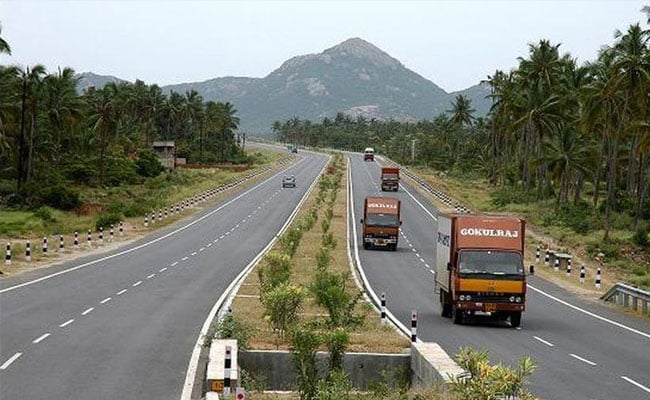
{"x": 125, "y": 327}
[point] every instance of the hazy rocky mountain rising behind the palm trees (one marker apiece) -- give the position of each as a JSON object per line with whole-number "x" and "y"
{"x": 353, "y": 77}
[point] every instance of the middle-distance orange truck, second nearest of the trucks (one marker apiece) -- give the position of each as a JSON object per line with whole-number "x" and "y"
{"x": 381, "y": 222}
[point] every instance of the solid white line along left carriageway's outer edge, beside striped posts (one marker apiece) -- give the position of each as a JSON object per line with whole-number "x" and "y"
{"x": 131, "y": 250}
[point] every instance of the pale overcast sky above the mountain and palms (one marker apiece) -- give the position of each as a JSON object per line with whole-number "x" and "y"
{"x": 455, "y": 44}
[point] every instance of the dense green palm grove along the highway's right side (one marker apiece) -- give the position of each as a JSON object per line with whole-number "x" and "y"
{"x": 572, "y": 138}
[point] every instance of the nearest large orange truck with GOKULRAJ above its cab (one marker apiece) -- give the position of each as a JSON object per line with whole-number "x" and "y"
{"x": 480, "y": 266}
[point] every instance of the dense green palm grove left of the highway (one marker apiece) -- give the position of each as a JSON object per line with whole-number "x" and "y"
{"x": 55, "y": 142}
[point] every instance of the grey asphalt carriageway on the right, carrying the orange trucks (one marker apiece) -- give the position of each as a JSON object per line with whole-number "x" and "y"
{"x": 579, "y": 356}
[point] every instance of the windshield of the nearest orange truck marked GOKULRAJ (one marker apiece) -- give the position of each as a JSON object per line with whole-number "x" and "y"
{"x": 490, "y": 262}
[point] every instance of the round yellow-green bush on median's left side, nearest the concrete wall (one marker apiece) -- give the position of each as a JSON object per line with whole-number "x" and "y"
{"x": 282, "y": 305}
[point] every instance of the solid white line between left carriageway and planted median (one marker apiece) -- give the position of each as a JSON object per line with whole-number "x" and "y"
{"x": 190, "y": 377}
